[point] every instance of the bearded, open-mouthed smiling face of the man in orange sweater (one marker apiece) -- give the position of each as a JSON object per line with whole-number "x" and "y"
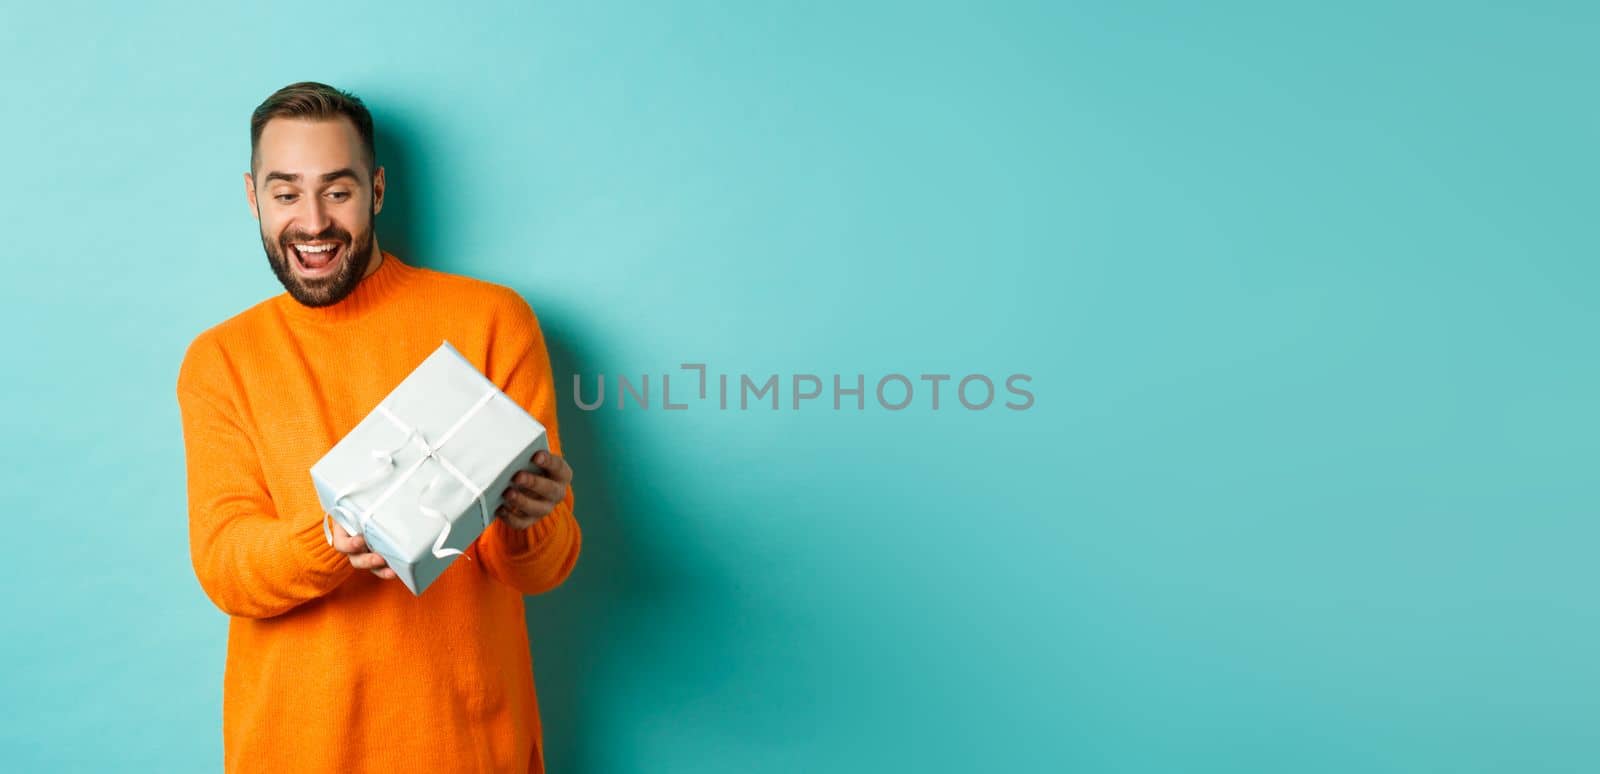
{"x": 316, "y": 201}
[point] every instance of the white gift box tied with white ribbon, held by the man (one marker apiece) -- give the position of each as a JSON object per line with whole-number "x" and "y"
{"x": 423, "y": 473}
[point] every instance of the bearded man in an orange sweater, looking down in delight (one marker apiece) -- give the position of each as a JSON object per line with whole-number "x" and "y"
{"x": 332, "y": 663}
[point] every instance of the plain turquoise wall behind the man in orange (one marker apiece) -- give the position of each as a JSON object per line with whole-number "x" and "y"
{"x": 1308, "y": 295}
